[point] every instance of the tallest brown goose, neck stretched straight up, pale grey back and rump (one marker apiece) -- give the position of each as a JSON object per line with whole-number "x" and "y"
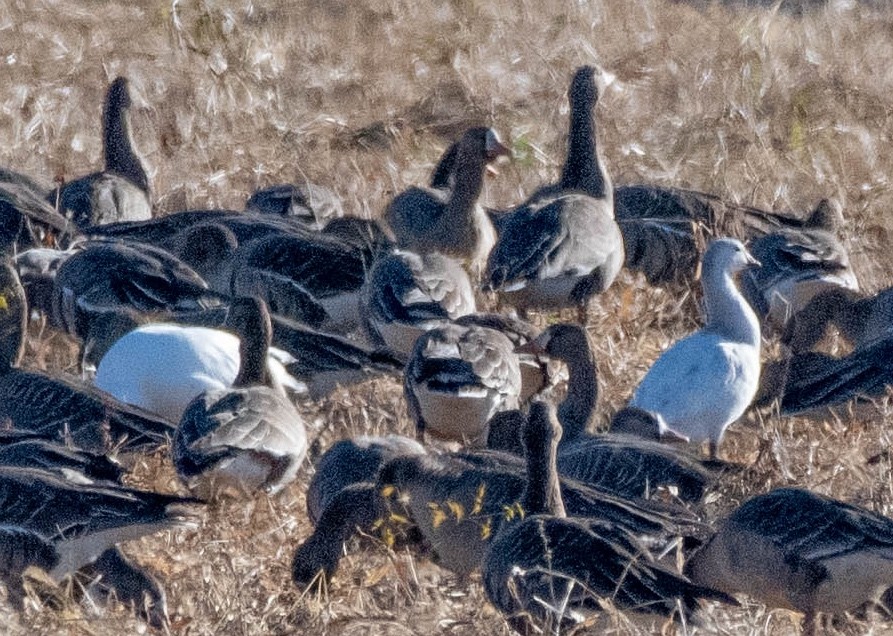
{"x": 563, "y": 246}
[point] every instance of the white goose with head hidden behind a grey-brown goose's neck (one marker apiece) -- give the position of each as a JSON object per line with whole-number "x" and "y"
{"x": 162, "y": 367}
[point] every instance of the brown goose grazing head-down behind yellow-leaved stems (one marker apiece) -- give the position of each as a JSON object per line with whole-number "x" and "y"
{"x": 456, "y": 502}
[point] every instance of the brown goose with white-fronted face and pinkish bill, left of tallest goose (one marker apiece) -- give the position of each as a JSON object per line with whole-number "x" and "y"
{"x": 449, "y": 220}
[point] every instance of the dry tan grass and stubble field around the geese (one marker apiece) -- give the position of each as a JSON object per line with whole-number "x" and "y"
{"x": 767, "y": 105}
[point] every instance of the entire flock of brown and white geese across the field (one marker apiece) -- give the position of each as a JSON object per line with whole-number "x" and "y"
{"x": 199, "y": 330}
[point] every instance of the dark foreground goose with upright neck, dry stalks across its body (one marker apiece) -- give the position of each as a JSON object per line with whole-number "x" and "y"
{"x": 547, "y": 569}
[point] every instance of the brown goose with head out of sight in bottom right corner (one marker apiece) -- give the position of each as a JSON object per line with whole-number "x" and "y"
{"x": 795, "y": 549}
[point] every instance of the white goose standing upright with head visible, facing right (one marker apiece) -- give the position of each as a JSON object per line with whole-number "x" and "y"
{"x": 707, "y": 380}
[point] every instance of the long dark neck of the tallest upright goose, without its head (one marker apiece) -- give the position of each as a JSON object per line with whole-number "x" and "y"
{"x": 582, "y": 170}
